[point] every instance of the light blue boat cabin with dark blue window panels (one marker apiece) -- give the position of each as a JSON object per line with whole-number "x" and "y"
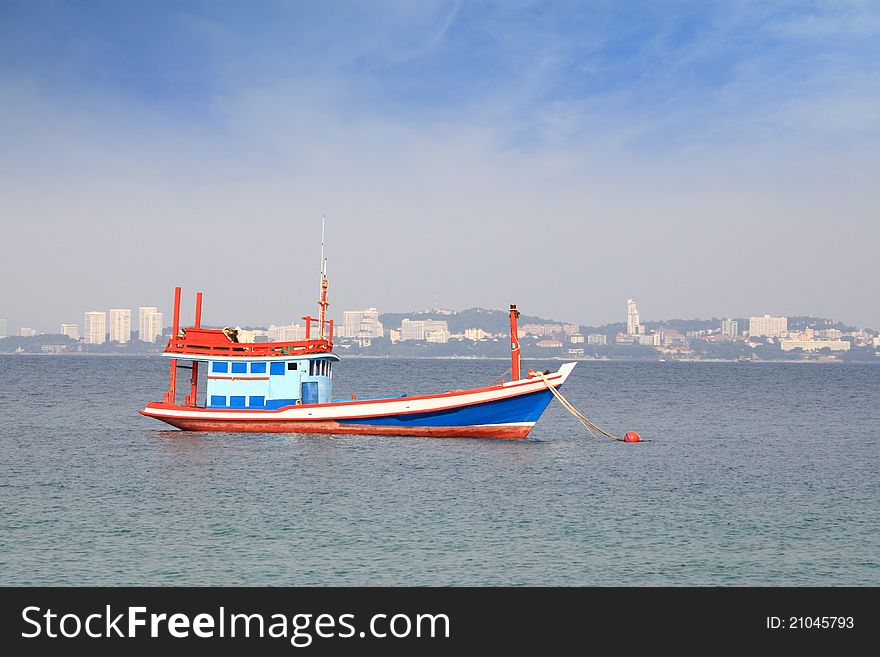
{"x": 260, "y": 384}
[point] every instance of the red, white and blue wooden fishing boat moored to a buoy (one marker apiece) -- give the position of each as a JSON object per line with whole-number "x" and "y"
{"x": 286, "y": 387}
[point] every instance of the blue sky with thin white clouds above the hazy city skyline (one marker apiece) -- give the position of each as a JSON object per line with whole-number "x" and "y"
{"x": 709, "y": 159}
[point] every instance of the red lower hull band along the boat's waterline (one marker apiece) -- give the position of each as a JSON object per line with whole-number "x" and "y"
{"x": 333, "y": 427}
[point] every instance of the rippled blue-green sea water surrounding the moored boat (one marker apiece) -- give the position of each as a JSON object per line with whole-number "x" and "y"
{"x": 752, "y": 474}
